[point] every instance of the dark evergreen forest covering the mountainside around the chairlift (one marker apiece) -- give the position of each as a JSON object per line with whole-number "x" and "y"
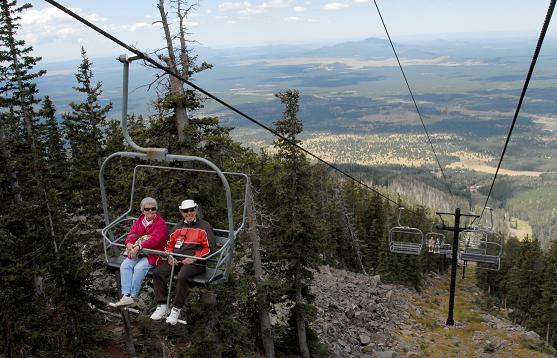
{"x": 52, "y": 272}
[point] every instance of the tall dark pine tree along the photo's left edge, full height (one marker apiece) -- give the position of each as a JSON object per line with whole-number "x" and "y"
{"x": 23, "y": 232}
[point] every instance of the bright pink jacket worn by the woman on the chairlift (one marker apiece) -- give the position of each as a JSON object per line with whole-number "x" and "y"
{"x": 157, "y": 231}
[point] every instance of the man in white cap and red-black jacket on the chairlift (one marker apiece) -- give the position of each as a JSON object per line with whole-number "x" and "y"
{"x": 193, "y": 237}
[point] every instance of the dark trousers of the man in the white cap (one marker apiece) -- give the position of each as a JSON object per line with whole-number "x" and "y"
{"x": 183, "y": 273}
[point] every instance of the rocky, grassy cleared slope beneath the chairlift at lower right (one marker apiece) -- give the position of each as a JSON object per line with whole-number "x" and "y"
{"x": 359, "y": 316}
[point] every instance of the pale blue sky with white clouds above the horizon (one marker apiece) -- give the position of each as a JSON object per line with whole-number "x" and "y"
{"x": 56, "y": 36}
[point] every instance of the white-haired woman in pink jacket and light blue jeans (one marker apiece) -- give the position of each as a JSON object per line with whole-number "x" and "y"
{"x": 148, "y": 232}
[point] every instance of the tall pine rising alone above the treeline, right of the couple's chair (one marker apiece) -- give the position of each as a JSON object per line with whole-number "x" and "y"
{"x": 295, "y": 242}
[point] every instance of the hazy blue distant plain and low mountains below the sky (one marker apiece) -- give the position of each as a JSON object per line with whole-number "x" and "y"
{"x": 249, "y": 76}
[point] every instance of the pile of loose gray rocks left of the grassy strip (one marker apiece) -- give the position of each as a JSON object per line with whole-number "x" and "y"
{"x": 358, "y": 315}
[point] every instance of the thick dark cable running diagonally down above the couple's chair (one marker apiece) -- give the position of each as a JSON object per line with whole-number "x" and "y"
{"x": 208, "y": 94}
